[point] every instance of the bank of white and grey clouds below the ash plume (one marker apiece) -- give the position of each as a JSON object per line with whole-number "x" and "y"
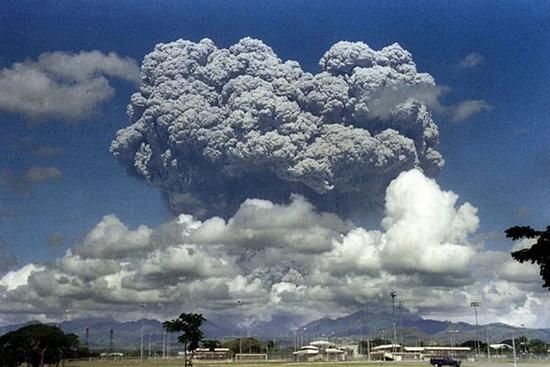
{"x": 289, "y": 259}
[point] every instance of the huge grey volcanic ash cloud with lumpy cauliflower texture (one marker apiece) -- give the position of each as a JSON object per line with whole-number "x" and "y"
{"x": 211, "y": 127}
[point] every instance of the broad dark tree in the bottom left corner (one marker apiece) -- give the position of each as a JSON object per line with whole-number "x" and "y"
{"x": 36, "y": 345}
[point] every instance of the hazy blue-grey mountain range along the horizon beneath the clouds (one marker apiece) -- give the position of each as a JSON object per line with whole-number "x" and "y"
{"x": 361, "y": 324}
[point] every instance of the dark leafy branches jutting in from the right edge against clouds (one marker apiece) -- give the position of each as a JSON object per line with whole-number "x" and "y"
{"x": 538, "y": 253}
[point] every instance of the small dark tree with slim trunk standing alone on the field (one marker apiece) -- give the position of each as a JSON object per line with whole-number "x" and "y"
{"x": 189, "y": 324}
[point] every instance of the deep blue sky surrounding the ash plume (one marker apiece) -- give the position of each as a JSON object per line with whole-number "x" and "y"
{"x": 497, "y": 159}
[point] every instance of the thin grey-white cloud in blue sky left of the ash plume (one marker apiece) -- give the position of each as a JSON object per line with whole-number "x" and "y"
{"x": 63, "y": 85}
